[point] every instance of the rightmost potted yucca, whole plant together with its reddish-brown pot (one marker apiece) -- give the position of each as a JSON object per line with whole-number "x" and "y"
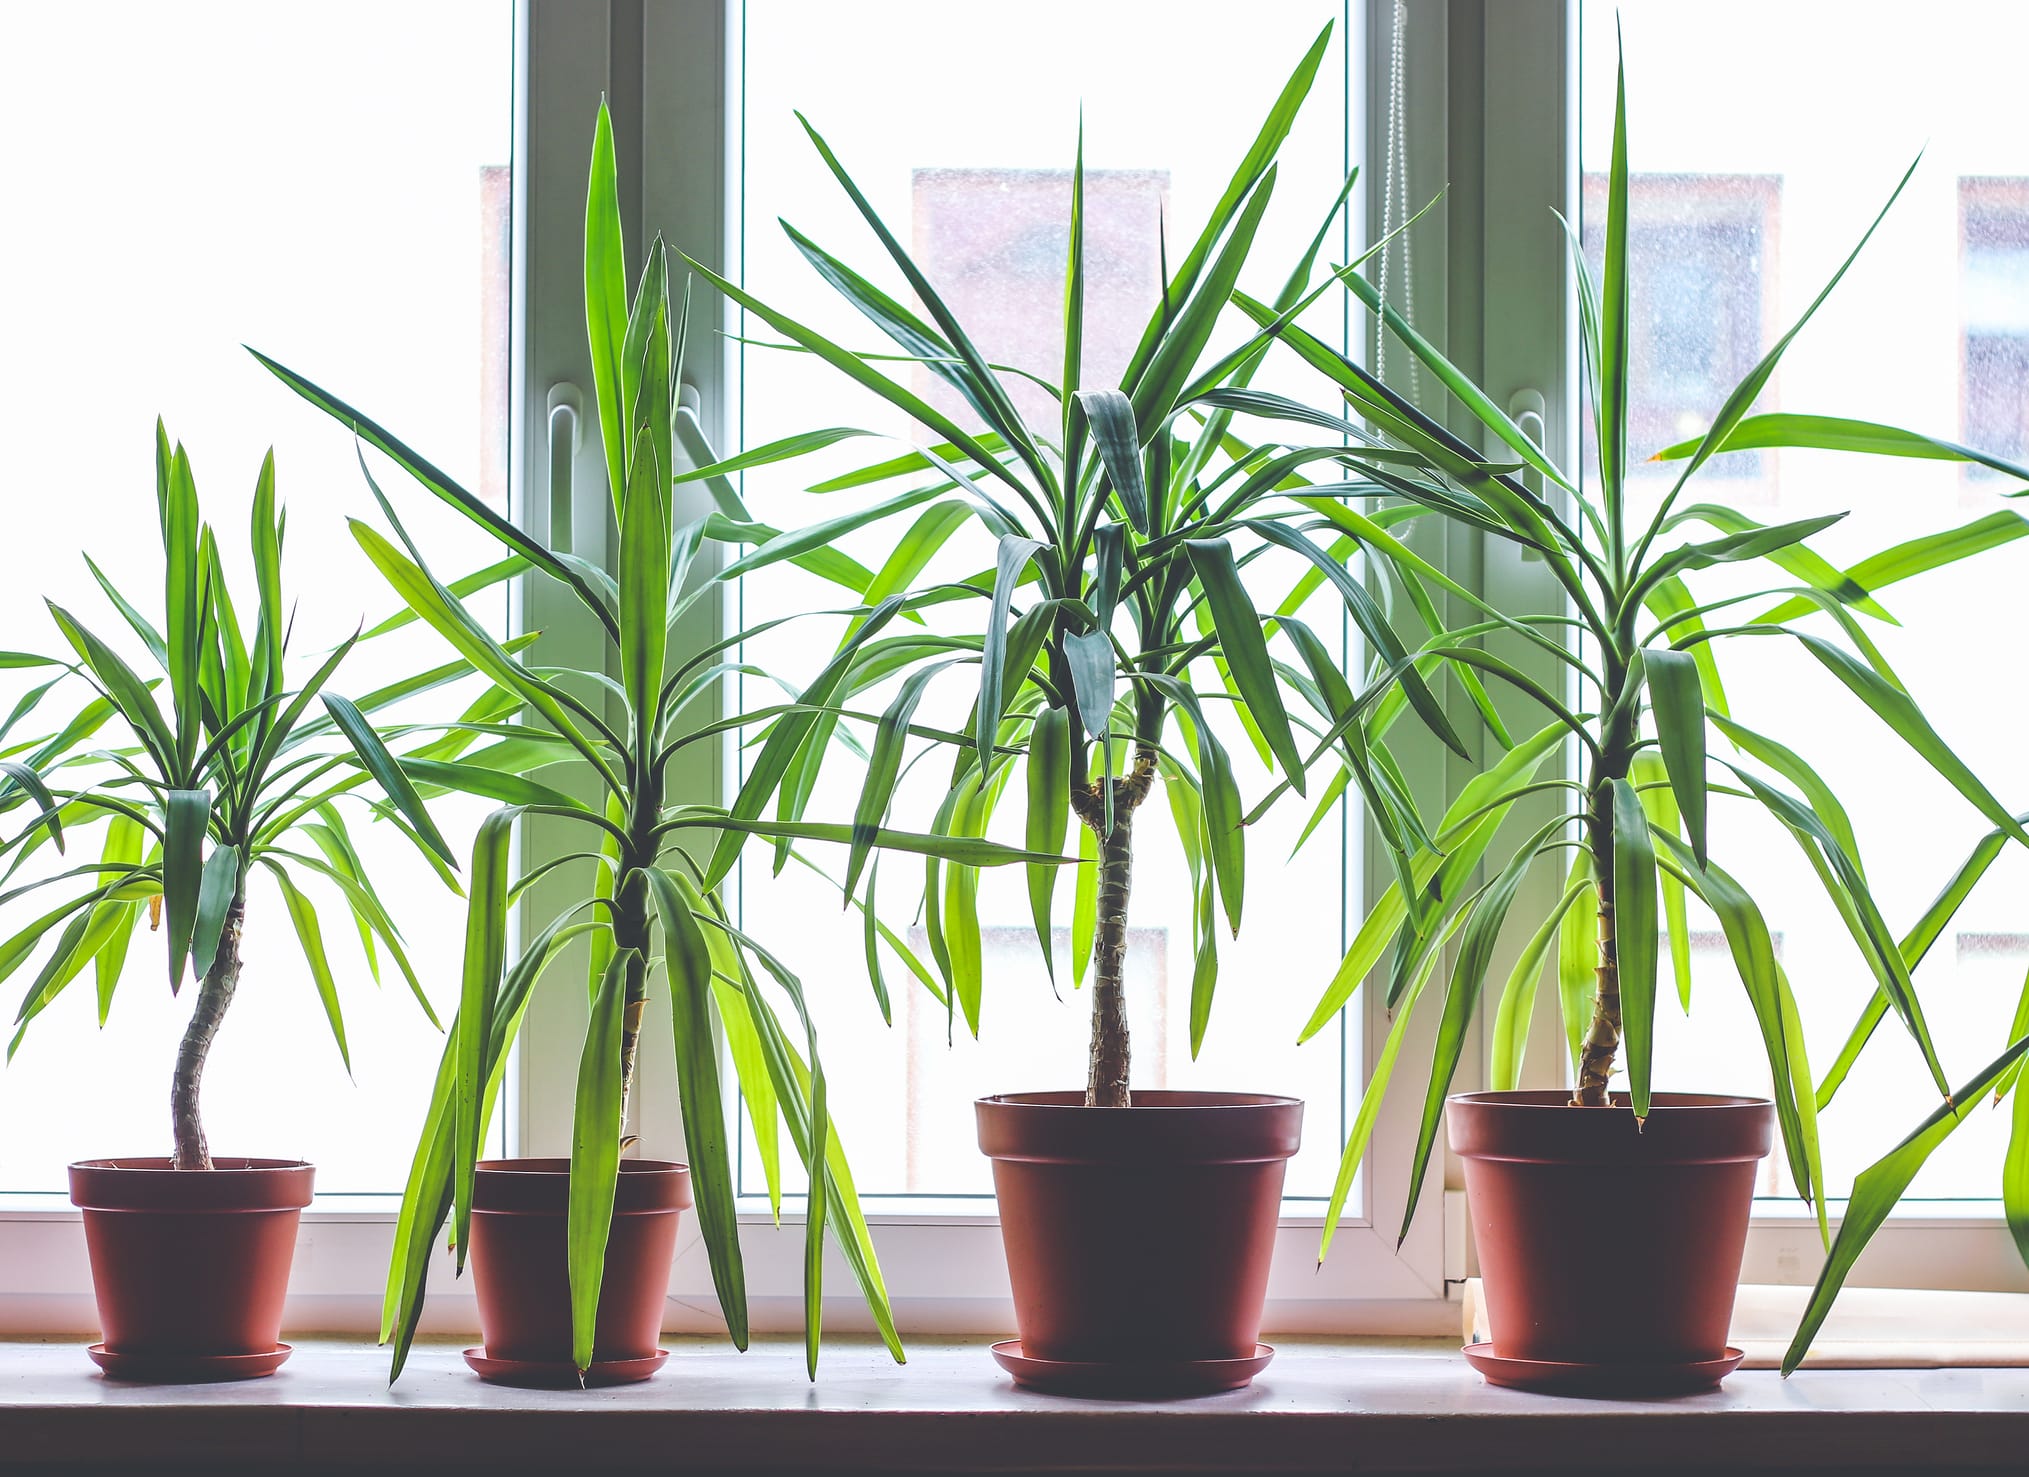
{"x": 1610, "y": 1226}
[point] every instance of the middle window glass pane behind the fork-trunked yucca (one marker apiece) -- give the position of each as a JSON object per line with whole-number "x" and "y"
{"x": 977, "y": 184}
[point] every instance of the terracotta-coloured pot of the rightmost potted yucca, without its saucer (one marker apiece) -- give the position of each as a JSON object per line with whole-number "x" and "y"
{"x": 1602, "y": 1243}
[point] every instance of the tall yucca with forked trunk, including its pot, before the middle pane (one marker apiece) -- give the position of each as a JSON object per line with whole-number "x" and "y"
{"x": 1137, "y": 1224}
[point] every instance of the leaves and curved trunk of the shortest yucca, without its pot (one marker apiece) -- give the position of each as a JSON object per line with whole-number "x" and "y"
{"x": 232, "y": 774}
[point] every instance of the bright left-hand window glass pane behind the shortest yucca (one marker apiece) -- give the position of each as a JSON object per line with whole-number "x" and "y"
{"x": 332, "y": 186}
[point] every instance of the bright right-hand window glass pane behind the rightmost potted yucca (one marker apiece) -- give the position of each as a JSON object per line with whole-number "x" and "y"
{"x": 1756, "y": 169}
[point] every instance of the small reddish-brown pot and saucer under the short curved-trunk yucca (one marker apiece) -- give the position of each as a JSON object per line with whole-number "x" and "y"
{"x": 190, "y": 1265}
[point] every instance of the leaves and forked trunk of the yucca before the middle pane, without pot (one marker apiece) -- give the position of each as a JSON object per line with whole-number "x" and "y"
{"x": 1117, "y": 612}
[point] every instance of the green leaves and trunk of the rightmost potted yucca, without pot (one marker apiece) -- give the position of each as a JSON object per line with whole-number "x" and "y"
{"x": 1645, "y": 701}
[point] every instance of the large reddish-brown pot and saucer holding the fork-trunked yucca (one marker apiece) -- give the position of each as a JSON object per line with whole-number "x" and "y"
{"x": 1139, "y": 1239}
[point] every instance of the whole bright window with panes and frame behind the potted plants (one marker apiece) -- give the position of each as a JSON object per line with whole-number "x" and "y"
{"x": 405, "y": 218}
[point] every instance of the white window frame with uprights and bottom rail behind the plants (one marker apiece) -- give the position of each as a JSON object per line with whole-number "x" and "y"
{"x": 1492, "y": 119}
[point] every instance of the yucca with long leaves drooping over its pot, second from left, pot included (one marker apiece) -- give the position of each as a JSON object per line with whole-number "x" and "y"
{"x": 573, "y": 1257}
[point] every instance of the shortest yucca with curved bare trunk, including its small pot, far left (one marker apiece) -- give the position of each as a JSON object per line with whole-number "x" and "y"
{"x": 234, "y": 772}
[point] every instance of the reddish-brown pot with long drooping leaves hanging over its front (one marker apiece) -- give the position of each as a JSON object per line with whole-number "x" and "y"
{"x": 522, "y": 1277}
